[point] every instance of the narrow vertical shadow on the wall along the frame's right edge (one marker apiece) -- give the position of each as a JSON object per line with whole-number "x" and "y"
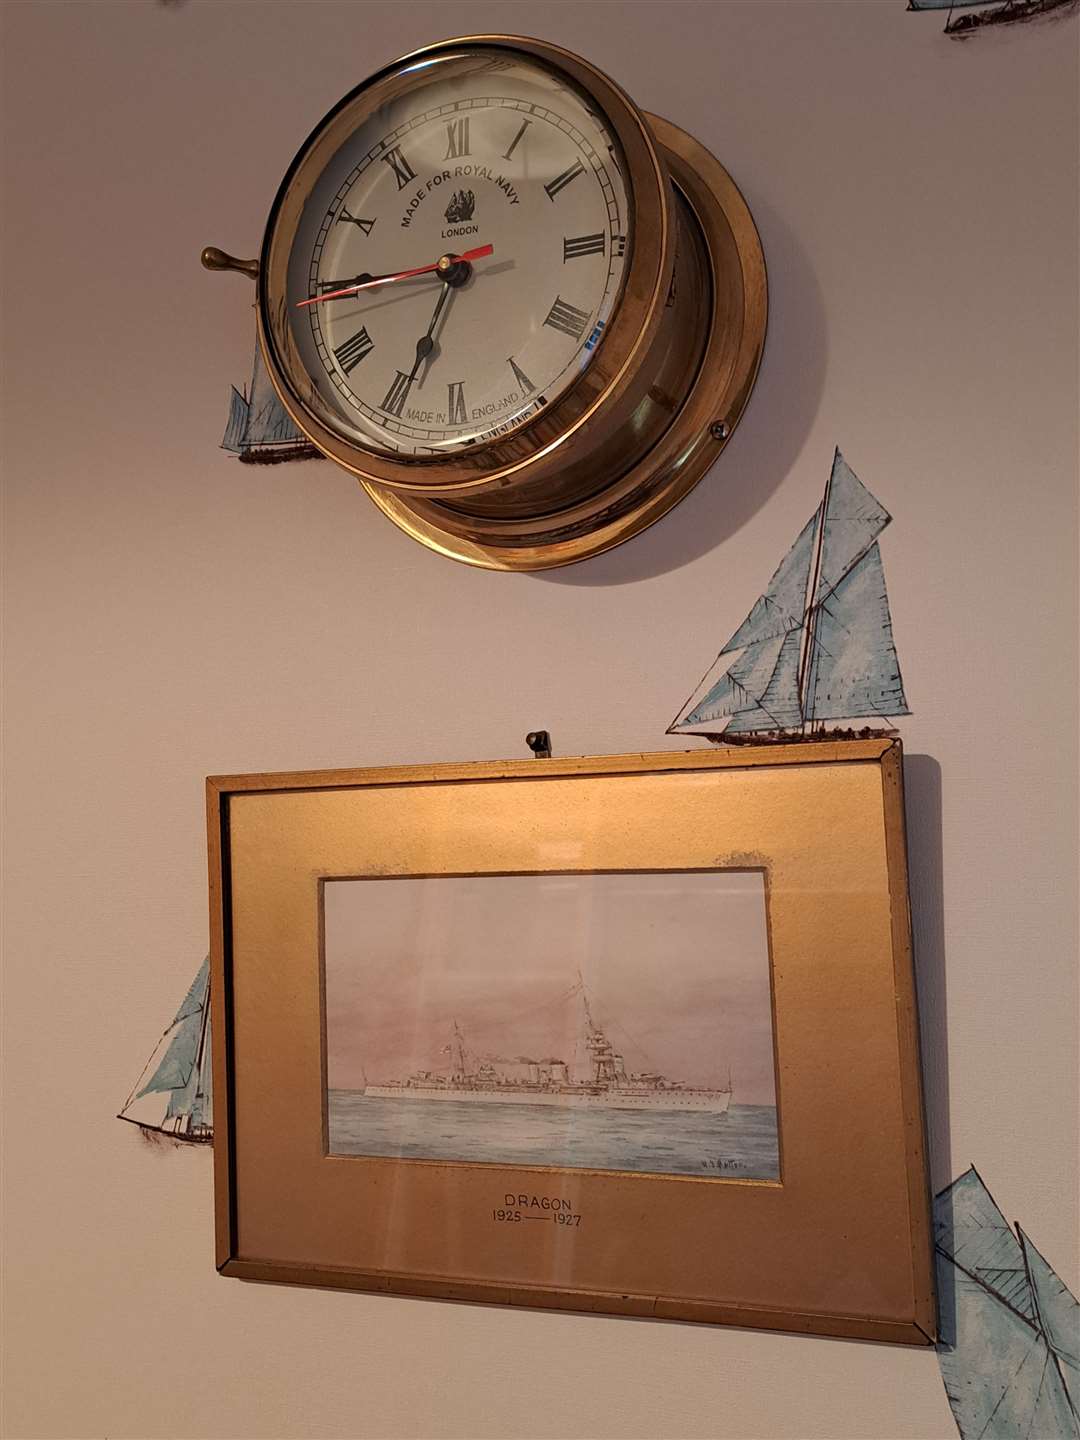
{"x": 924, "y": 809}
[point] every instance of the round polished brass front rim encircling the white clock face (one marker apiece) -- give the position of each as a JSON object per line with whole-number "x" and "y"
{"x": 608, "y": 390}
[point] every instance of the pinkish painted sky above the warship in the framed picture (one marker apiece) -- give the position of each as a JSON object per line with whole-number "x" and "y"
{"x": 676, "y": 968}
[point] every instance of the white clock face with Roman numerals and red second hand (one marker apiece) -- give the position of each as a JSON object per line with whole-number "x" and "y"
{"x": 498, "y": 155}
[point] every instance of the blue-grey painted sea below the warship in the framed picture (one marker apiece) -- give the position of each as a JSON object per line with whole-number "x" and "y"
{"x": 739, "y": 1146}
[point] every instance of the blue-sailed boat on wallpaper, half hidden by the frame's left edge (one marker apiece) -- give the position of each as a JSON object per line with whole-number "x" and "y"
{"x": 175, "y": 1094}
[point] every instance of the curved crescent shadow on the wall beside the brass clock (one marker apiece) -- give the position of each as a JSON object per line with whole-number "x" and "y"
{"x": 770, "y": 438}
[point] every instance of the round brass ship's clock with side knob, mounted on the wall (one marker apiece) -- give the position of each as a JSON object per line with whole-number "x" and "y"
{"x": 523, "y": 313}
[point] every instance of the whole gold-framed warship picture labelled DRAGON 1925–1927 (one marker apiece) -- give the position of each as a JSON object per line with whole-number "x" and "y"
{"x": 631, "y": 1035}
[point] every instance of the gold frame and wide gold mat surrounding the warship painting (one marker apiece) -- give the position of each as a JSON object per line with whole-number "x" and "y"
{"x": 840, "y": 1245}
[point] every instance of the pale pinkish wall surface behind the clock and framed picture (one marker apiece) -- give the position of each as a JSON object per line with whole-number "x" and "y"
{"x": 174, "y": 614}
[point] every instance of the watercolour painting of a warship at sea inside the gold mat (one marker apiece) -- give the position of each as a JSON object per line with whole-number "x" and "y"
{"x": 500, "y": 1033}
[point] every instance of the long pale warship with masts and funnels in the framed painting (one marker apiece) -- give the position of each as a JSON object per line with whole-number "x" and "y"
{"x": 523, "y": 1081}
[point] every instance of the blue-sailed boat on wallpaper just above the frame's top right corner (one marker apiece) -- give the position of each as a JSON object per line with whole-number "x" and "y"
{"x": 819, "y": 644}
